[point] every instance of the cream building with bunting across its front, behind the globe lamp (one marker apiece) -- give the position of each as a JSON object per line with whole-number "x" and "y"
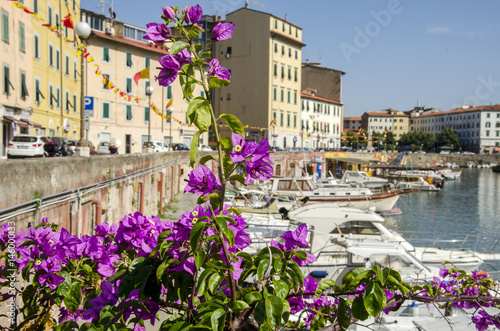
{"x": 121, "y": 111}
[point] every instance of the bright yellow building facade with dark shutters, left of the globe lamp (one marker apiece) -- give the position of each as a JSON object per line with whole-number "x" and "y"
{"x": 56, "y": 73}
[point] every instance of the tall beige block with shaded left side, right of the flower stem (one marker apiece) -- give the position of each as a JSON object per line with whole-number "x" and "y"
{"x": 264, "y": 58}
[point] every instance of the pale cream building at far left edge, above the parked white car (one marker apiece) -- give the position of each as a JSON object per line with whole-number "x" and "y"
{"x": 16, "y": 62}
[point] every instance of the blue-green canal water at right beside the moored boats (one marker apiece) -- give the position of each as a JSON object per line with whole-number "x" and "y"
{"x": 468, "y": 208}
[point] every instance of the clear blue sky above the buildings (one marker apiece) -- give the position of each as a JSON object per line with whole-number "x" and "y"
{"x": 395, "y": 53}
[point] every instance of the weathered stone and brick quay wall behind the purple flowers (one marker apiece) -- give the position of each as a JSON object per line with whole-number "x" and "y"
{"x": 78, "y": 193}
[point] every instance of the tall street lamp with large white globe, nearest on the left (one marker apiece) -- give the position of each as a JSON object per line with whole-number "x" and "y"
{"x": 83, "y": 30}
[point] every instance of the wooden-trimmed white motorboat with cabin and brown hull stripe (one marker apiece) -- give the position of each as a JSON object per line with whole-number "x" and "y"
{"x": 359, "y": 197}
